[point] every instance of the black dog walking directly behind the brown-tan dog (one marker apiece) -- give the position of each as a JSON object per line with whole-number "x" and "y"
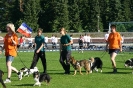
{"x": 96, "y": 63}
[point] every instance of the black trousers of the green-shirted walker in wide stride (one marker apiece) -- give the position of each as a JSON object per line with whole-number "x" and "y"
{"x": 36, "y": 57}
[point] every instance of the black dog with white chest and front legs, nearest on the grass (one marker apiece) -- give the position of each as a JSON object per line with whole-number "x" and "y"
{"x": 40, "y": 78}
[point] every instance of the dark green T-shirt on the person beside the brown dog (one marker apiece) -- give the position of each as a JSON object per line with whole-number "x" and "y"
{"x": 65, "y": 39}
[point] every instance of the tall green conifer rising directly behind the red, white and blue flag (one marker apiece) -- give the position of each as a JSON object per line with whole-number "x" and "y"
{"x": 31, "y": 9}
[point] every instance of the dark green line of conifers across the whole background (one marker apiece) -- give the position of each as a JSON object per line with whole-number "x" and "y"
{"x": 74, "y": 15}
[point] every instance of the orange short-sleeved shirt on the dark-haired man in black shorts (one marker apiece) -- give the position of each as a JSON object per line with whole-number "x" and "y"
{"x": 114, "y": 40}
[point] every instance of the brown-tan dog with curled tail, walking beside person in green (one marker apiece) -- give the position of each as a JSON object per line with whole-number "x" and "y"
{"x": 77, "y": 65}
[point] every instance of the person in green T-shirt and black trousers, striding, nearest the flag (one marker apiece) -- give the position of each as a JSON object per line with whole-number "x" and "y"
{"x": 39, "y": 50}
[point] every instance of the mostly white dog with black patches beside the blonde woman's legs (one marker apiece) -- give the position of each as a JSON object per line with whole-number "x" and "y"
{"x": 27, "y": 72}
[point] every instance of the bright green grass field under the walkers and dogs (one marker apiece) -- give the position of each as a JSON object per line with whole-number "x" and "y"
{"x": 123, "y": 79}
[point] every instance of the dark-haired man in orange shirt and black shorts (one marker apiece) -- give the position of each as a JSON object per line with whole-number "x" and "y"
{"x": 114, "y": 42}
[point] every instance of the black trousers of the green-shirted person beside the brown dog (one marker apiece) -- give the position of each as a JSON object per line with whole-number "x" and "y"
{"x": 64, "y": 60}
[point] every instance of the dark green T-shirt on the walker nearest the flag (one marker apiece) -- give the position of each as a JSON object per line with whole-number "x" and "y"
{"x": 39, "y": 40}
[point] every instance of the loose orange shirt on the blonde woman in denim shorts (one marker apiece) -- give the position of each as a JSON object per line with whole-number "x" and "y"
{"x": 10, "y": 48}
